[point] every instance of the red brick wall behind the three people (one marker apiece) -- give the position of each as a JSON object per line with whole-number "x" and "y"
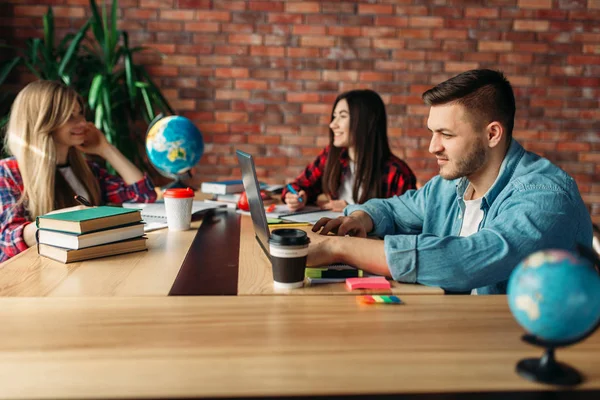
{"x": 261, "y": 75}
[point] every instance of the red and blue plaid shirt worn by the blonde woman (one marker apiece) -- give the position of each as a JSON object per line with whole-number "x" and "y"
{"x": 14, "y": 218}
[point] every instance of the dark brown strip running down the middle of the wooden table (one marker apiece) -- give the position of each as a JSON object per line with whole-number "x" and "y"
{"x": 211, "y": 264}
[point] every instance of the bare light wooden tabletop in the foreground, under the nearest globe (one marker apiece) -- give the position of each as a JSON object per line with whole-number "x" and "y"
{"x": 269, "y": 346}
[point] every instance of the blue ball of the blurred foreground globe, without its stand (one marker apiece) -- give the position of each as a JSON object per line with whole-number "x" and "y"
{"x": 555, "y": 295}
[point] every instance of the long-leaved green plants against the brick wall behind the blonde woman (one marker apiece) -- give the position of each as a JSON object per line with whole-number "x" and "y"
{"x": 101, "y": 69}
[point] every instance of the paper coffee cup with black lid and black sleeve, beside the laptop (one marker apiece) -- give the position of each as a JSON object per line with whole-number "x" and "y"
{"x": 288, "y": 249}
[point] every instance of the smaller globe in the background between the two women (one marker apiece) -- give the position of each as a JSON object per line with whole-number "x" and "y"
{"x": 174, "y": 145}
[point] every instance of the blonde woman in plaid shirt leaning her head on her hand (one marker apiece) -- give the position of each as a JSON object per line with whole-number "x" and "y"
{"x": 47, "y": 135}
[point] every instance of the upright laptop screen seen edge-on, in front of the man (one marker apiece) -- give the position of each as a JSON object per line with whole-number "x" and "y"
{"x": 257, "y": 208}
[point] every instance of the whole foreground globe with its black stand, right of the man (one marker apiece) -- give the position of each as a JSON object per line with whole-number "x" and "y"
{"x": 555, "y": 296}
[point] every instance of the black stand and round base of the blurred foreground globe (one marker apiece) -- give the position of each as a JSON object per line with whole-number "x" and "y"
{"x": 546, "y": 369}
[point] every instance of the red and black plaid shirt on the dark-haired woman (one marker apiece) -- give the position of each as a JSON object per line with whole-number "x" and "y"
{"x": 397, "y": 177}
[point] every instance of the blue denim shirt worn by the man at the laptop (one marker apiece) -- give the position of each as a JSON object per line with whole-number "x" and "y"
{"x": 532, "y": 205}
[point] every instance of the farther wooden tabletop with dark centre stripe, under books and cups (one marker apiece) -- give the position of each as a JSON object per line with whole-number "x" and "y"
{"x": 175, "y": 263}
